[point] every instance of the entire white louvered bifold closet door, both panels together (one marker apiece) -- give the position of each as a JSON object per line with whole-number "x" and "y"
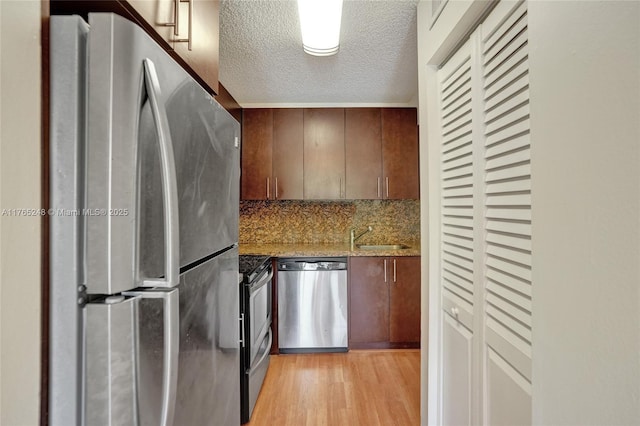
{"x": 485, "y": 235}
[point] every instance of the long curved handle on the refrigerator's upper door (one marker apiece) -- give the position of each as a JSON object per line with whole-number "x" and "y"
{"x": 169, "y": 182}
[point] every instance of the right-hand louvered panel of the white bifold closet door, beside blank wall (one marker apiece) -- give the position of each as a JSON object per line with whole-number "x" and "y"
{"x": 507, "y": 210}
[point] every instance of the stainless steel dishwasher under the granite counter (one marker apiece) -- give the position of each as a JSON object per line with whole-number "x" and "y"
{"x": 312, "y": 305}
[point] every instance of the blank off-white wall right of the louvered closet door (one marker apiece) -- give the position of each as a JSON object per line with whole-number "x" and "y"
{"x": 585, "y": 132}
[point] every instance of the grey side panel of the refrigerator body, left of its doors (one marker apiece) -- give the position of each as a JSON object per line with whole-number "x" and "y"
{"x": 68, "y": 38}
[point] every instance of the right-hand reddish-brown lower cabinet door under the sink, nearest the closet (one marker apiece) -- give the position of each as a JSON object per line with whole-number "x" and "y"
{"x": 404, "y": 305}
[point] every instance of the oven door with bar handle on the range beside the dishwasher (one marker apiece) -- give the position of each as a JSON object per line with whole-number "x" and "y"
{"x": 259, "y": 313}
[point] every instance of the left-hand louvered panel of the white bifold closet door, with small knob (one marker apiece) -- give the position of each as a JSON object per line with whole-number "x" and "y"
{"x": 457, "y": 236}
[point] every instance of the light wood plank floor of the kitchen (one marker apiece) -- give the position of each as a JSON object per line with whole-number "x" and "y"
{"x": 376, "y": 387}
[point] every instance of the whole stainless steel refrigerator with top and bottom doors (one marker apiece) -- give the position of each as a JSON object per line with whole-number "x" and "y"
{"x": 144, "y": 189}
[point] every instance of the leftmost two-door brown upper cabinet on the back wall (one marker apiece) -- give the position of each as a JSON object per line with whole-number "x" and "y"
{"x": 272, "y": 154}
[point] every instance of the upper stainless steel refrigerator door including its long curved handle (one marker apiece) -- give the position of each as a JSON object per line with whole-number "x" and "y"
{"x": 144, "y": 110}
